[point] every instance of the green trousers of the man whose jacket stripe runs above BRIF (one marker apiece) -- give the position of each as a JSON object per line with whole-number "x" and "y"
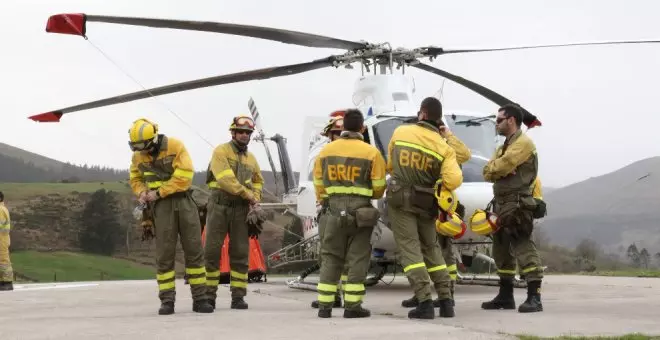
{"x": 420, "y": 253}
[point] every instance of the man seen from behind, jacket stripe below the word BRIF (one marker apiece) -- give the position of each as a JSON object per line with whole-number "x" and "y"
{"x": 351, "y": 173}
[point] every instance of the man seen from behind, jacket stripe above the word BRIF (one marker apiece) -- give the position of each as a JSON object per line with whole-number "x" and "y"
{"x": 421, "y": 162}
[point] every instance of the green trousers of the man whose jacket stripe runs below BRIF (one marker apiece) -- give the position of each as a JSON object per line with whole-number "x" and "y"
{"x": 344, "y": 245}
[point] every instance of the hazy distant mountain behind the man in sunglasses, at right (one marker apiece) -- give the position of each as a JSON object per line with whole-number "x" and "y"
{"x": 615, "y": 209}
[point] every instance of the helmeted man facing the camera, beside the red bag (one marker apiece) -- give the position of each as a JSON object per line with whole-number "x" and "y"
{"x": 236, "y": 183}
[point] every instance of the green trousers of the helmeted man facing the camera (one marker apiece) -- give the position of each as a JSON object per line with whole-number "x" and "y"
{"x": 223, "y": 219}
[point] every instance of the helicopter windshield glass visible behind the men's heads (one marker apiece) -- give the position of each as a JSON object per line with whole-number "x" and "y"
{"x": 479, "y": 137}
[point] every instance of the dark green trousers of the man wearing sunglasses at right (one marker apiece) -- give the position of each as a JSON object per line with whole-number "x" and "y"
{"x": 513, "y": 243}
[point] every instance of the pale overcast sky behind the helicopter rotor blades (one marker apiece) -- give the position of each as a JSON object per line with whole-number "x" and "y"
{"x": 597, "y": 103}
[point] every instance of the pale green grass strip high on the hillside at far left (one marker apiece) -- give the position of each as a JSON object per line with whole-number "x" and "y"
{"x": 18, "y": 191}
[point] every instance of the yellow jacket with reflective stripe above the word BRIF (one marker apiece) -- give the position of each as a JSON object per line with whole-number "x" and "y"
{"x": 418, "y": 155}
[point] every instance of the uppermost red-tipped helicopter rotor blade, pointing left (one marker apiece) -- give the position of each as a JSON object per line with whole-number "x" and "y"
{"x": 76, "y": 24}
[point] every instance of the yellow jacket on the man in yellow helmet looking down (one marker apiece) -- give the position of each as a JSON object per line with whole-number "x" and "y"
{"x": 170, "y": 172}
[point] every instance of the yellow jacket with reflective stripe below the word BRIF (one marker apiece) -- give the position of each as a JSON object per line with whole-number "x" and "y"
{"x": 348, "y": 165}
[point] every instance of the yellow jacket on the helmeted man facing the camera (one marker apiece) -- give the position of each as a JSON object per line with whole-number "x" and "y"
{"x": 235, "y": 173}
